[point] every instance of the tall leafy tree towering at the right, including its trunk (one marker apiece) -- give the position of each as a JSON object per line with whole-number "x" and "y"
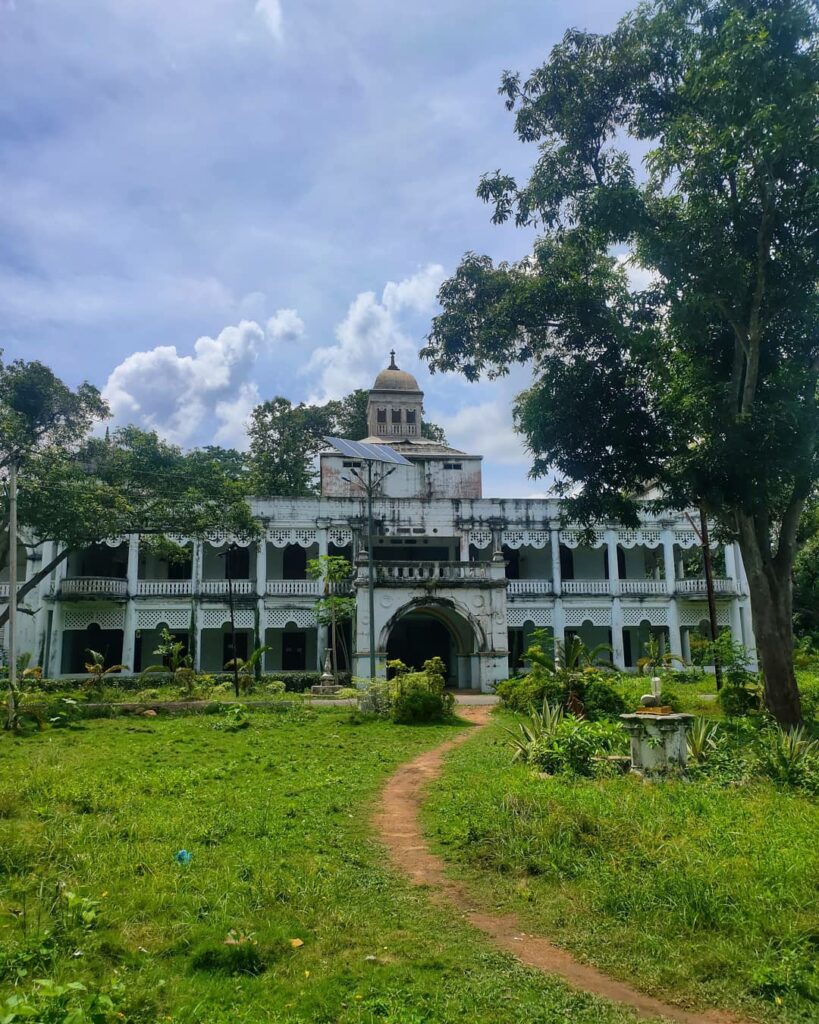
{"x": 705, "y": 380}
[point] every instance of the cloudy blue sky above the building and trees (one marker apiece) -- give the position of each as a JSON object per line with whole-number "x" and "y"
{"x": 206, "y": 203}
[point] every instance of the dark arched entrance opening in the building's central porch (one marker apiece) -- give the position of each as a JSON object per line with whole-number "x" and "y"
{"x": 429, "y": 630}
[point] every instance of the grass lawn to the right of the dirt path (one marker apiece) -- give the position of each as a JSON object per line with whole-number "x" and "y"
{"x": 685, "y": 889}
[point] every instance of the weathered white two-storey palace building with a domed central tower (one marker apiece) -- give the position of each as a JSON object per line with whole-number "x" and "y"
{"x": 457, "y": 575}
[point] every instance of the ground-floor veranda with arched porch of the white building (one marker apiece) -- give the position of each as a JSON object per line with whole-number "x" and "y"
{"x": 479, "y": 644}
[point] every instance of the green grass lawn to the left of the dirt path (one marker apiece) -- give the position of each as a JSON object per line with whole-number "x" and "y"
{"x": 276, "y": 817}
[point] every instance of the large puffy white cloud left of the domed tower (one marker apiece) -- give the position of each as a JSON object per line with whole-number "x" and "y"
{"x": 192, "y": 399}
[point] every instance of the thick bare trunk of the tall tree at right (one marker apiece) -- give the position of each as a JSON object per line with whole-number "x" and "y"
{"x": 771, "y": 606}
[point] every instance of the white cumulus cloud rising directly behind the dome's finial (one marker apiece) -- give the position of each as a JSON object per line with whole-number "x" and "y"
{"x": 371, "y": 328}
